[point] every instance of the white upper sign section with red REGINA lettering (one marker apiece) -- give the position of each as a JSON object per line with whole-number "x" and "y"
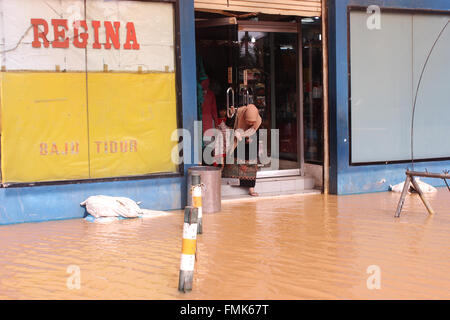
{"x": 124, "y": 35}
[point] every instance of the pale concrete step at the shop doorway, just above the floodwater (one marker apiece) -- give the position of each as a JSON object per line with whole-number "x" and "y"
{"x": 270, "y": 186}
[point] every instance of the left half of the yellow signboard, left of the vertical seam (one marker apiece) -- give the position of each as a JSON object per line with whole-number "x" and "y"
{"x": 44, "y": 126}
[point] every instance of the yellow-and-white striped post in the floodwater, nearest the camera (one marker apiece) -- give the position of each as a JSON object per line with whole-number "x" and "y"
{"x": 188, "y": 249}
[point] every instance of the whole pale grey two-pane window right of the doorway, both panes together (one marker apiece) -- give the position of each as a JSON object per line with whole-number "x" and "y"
{"x": 385, "y": 69}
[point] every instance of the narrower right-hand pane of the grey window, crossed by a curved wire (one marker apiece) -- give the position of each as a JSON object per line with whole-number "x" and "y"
{"x": 432, "y": 118}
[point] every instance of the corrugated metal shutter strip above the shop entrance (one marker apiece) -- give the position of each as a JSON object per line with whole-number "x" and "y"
{"x": 304, "y": 8}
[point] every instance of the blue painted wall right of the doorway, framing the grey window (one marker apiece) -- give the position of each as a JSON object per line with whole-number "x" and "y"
{"x": 346, "y": 179}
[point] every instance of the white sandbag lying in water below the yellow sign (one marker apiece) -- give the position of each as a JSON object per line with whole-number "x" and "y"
{"x": 106, "y": 206}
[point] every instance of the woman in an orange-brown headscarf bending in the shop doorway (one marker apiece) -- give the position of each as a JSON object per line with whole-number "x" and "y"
{"x": 245, "y": 121}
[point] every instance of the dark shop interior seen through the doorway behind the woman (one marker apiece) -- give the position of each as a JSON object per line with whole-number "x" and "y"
{"x": 257, "y": 55}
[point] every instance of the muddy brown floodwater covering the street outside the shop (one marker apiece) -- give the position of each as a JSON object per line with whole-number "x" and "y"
{"x": 291, "y": 247}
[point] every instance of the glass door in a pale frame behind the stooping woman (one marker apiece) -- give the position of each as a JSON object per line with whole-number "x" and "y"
{"x": 268, "y": 78}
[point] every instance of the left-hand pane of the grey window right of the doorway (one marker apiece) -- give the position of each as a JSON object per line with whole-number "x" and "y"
{"x": 381, "y": 94}
